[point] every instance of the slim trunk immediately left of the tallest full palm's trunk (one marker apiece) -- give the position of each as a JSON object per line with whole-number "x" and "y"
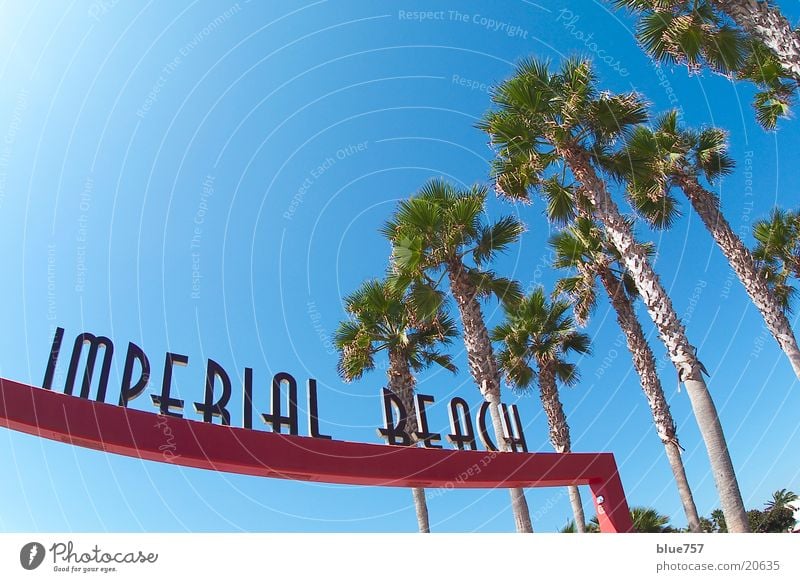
{"x": 645, "y": 364}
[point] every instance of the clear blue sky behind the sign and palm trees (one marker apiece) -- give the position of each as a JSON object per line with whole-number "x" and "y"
{"x": 208, "y": 178}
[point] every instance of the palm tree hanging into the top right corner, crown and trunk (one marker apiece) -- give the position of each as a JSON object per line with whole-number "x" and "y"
{"x": 745, "y": 39}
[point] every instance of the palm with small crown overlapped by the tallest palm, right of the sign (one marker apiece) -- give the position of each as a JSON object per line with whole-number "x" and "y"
{"x": 581, "y": 247}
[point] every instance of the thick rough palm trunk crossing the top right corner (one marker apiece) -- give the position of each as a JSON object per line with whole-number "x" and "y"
{"x": 767, "y": 24}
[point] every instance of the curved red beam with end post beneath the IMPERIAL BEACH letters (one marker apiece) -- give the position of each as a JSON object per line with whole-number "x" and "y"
{"x": 189, "y": 443}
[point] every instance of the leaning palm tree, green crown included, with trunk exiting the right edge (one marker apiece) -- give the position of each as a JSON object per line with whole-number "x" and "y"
{"x": 656, "y": 162}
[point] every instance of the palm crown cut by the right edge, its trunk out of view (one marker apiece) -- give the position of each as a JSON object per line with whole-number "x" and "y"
{"x": 777, "y": 253}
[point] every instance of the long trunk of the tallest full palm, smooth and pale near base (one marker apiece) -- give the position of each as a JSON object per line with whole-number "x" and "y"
{"x": 670, "y": 328}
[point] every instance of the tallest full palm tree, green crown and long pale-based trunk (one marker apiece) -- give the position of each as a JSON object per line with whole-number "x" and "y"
{"x": 547, "y": 119}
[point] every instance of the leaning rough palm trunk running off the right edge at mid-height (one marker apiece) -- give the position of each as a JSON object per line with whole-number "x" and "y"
{"x": 706, "y": 205}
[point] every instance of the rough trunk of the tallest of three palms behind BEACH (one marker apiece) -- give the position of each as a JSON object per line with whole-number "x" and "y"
{"x": 483, "y": 368}
